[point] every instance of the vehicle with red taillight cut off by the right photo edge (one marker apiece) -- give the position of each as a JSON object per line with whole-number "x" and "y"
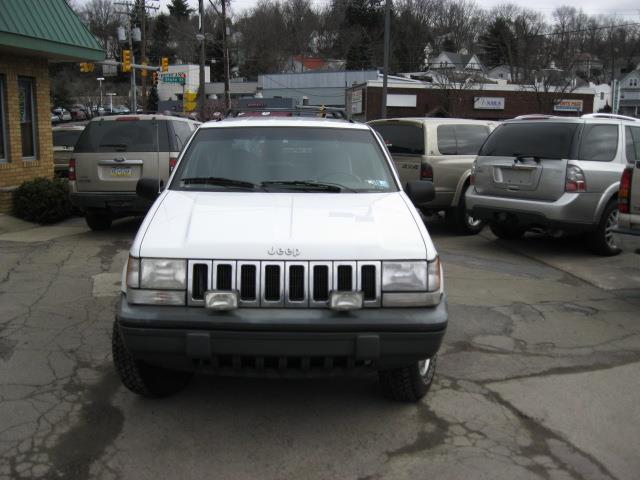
{"x": 629, "y": 194}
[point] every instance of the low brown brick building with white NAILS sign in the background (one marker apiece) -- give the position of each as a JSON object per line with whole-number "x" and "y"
{"x": 488, "y": 102}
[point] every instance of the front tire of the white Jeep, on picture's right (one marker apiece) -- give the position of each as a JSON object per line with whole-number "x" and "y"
{"x": 408, "y": 383}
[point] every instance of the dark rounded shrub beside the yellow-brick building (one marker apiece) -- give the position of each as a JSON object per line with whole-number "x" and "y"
{"x": 42, "y": 200}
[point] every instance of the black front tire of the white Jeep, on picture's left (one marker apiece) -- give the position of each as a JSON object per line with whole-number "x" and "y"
{"x": 143, "y": 379}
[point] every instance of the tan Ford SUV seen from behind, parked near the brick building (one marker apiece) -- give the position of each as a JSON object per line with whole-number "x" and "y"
{"x": 113, "y": 153}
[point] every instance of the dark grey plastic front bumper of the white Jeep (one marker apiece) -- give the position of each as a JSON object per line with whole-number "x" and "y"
{"x": 182, "y": 337}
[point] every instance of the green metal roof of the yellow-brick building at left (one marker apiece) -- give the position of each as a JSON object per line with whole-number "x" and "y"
{"x": 46, "y": 28}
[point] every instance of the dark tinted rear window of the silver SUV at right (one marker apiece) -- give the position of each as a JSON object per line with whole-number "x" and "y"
{"x": 549, "y": 140}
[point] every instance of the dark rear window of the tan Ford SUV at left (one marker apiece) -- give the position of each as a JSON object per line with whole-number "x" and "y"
{"x": 124, "y": 136}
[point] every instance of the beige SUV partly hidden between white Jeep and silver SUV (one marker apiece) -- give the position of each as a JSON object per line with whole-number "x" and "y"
{"x": 439, "y": 150}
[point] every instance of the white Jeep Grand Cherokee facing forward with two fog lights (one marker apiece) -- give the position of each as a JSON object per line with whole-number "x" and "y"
{"x": 281, "y": 245}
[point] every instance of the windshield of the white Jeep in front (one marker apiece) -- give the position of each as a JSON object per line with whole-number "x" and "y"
{"x": 303, "y": 159}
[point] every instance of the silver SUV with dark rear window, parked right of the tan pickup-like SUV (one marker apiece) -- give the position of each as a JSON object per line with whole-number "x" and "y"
{"x": 554, "y": 174}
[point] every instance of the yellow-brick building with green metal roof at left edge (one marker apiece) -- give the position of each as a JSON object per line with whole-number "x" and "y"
{"x": 32, "y": 34}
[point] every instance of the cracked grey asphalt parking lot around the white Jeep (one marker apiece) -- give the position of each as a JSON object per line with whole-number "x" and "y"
{"x": 539, "y": 377}
